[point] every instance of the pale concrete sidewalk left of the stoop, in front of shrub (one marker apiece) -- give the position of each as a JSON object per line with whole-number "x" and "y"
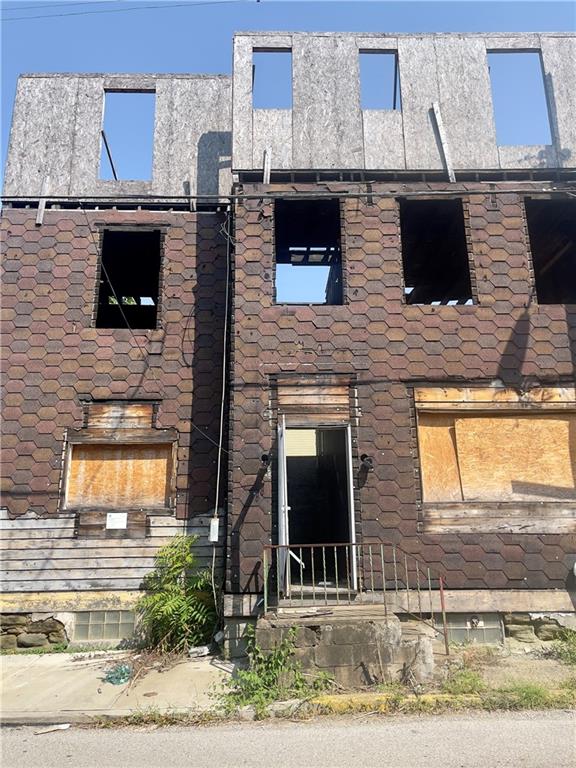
{"x": 68, "y": 687}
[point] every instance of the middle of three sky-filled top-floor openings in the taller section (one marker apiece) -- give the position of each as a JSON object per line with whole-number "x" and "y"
{"x": 379, "y": 80}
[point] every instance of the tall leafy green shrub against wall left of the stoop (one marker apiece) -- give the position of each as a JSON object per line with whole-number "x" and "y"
{"x": 178, "y": 611}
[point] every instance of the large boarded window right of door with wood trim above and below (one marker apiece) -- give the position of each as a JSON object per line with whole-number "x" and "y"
{"x": 506, "y": 463}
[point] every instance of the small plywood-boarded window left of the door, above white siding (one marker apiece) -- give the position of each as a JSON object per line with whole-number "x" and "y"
{"x": 119, "y": 476}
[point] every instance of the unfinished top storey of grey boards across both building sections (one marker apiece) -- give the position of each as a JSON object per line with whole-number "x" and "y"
{"x": 441, "y": 120}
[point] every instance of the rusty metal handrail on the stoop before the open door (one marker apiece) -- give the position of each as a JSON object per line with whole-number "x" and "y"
{"x": 309, "y": 575}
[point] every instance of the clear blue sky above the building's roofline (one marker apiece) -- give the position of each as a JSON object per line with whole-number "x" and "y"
{"x": 80, "y": 37}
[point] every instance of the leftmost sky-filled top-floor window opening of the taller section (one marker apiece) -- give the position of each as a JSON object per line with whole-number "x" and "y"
{"x": 272, "y": 79}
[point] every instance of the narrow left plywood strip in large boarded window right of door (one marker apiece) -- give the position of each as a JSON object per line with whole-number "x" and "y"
{"x": 438, "y": 457}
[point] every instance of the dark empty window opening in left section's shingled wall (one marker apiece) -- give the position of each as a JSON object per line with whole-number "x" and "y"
{"x": 129, "y": 279}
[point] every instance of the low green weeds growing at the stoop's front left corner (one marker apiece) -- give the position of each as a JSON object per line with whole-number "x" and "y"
{"x": 271, "y": 676}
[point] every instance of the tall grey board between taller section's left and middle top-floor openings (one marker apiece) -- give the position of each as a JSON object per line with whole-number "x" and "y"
{"x": 327, "y": 120}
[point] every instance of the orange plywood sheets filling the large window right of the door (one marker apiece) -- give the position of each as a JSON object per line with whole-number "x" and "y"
{"x": 501, "y": 456}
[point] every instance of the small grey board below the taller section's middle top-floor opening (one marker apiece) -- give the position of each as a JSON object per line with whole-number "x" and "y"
{"x": 383, "y": 139}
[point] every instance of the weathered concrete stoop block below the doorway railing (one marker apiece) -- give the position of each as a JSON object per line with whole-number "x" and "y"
{"x": 355, "y": 651}
